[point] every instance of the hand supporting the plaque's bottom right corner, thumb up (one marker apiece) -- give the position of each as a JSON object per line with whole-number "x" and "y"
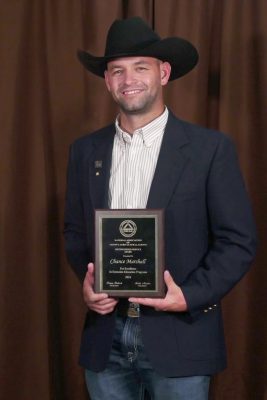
{"x": 173, "y": 301}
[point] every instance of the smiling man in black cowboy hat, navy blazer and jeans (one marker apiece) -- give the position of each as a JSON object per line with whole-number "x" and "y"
{"x": 150, "y": 159}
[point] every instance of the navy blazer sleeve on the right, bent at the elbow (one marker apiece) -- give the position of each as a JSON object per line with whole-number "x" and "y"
{"x": 232, "y": 233}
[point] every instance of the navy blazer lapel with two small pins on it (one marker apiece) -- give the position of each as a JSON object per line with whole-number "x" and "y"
{"x": 99, "y": 168}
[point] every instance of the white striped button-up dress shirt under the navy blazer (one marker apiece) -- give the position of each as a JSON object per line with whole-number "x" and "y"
{"x": 134, "y": 160}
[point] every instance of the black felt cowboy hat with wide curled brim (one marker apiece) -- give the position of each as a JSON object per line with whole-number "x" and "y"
{"x": 133, "y": 37}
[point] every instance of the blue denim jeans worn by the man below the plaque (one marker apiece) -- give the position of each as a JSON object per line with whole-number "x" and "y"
{"x": 129, "y": 373}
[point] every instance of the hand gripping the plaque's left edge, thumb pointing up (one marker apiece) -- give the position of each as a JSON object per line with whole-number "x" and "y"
{"x": 98, "y": 302}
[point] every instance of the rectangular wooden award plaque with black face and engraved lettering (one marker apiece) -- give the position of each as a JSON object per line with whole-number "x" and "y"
{"x": 129, "y": 253}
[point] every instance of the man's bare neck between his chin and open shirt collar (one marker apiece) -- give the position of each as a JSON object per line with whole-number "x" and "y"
{"x": 130, "y": 122}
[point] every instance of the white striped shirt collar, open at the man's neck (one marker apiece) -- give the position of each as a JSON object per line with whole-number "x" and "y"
{"x": 149, "y": 132}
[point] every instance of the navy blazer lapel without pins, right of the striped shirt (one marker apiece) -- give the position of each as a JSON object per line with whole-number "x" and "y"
{"x": 170, "y": 165}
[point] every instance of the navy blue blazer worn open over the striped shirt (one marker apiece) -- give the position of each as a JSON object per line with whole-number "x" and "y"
{"x": 210, "y": 241}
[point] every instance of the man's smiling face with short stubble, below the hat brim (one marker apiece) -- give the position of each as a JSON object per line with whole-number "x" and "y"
{"x": 136, "y": 83}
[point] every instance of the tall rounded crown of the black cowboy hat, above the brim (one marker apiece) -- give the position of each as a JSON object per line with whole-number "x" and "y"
{"x": 129, "y": 35}
